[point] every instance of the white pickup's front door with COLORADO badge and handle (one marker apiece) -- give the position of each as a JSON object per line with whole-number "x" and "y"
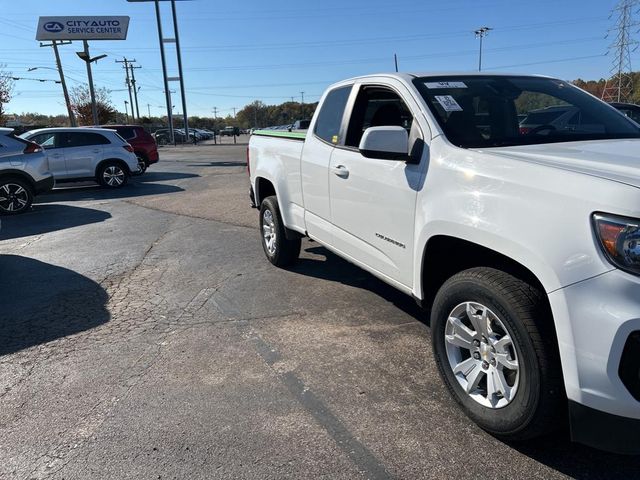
{"x": 373, "y": 200}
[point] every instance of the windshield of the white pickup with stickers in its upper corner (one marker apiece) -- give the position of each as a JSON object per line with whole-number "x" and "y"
{"x": 494, "y": 111}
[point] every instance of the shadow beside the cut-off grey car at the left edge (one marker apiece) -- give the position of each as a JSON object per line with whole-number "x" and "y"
{"x": 49, "y": 218}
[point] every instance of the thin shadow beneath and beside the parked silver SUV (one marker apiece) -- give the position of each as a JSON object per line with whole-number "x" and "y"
{"x": 94, "y": 192}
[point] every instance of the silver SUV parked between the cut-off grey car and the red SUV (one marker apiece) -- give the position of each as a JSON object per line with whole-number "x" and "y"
{"x": 75, "y": 154}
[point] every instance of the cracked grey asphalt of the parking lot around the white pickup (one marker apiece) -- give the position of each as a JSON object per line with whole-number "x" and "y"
{"x": 144, "y": 335}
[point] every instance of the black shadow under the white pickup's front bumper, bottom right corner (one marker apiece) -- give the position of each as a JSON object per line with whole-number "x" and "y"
{"x": 578, "y": 461}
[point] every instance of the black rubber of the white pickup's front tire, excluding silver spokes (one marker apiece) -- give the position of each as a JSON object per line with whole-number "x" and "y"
{"x": 538, "y": 404}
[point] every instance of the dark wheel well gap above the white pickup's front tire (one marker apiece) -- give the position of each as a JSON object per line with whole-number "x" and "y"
{"x": 445, "y": 256}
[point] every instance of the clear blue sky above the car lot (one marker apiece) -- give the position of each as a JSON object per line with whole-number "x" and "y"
{"x": 237, "y": 52}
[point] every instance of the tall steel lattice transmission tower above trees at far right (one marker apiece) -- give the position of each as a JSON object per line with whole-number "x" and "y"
{"x": 619, "y": 87}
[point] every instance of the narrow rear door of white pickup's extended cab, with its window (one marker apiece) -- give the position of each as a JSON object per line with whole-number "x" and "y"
{"x": 318, "y": 147}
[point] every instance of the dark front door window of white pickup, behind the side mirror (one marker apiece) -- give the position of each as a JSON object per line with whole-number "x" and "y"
{"x": 377, "y": 107}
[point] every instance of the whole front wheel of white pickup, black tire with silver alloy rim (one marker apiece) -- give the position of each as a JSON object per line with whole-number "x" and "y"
{"x": 495, "y": 349}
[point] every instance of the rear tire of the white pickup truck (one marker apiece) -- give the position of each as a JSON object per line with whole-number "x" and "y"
{"x": 285, "y": 252}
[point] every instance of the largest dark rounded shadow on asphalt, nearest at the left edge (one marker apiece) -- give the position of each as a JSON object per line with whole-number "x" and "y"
{"x": 41, "y": 302}
